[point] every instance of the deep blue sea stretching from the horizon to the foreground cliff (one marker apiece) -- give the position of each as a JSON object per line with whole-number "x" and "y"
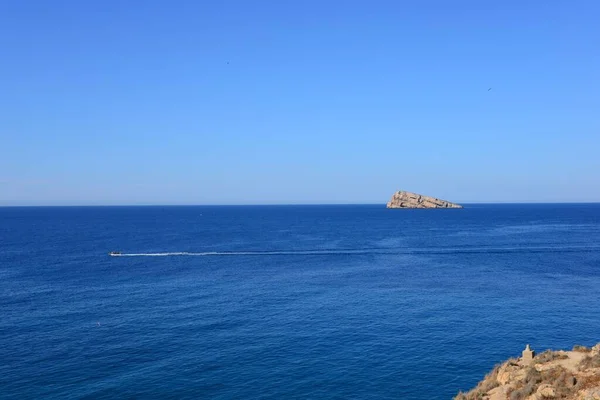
{"x": 294, "y": 302}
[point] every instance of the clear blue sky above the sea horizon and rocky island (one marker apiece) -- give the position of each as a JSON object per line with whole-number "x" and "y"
{"x": 262, "y": 102}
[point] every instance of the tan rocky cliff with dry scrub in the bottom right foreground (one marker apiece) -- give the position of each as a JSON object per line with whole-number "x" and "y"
{"x": 569, "y": 375}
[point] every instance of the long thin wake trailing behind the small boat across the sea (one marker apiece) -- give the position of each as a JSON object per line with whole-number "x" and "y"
{"x": 388, "y": 251}
